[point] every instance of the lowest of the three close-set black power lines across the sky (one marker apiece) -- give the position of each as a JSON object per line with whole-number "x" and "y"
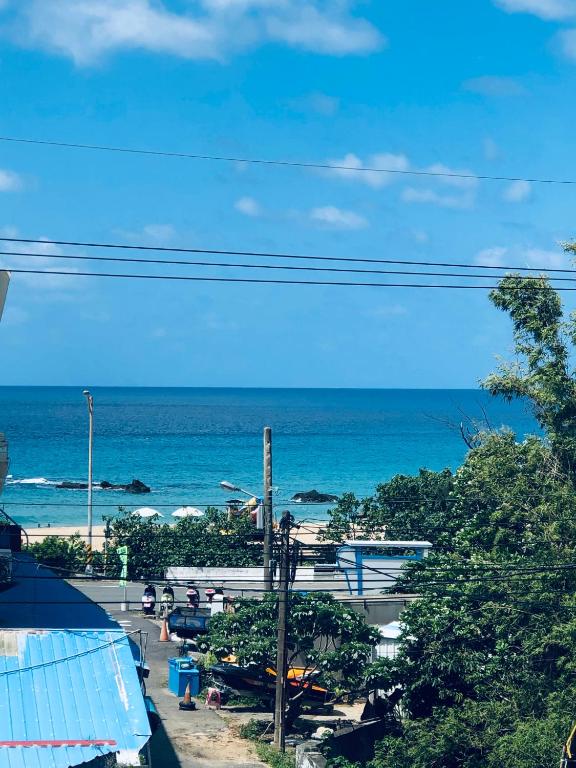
{"x": 265, "y": 281}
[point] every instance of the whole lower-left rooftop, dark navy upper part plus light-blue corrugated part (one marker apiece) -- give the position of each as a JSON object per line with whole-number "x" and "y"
{"x": 69, "y": 689}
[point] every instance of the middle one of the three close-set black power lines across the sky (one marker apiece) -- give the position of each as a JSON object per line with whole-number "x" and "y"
{"x": 181, "y": 262}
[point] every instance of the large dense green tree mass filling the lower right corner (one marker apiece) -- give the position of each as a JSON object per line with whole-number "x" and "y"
{"x": 490, "y": 647}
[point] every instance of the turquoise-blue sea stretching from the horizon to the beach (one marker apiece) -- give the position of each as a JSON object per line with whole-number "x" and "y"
{"x": 183, "y": 442}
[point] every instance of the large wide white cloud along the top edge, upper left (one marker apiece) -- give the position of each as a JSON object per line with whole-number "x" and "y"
{"x": 89, "y": 30}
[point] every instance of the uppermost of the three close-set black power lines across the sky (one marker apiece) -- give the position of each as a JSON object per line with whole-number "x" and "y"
{"x": 275, "y": 255}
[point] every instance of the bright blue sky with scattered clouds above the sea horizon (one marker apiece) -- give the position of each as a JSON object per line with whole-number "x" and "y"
{"x": 483, "y": 86}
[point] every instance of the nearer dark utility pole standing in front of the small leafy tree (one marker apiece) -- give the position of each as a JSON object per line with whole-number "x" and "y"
{"x": 281, "y": 654}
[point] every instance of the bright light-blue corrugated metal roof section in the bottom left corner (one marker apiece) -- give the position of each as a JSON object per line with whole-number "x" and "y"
{"x": 68, "y": 685}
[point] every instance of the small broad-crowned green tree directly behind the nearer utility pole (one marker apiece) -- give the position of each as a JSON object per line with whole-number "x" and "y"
{"x": 324, "y": 637}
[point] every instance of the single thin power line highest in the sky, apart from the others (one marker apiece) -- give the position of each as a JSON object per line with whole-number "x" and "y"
{"x": 282, "y": 163}
